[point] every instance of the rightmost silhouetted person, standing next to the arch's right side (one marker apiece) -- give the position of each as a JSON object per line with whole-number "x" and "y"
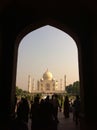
{"x": 76, "y": 106}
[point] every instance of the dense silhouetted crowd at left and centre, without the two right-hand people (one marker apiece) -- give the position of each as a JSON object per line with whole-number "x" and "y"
{"x": 42, "y": 112}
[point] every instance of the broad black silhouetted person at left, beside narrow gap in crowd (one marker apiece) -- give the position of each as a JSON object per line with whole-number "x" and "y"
{"x": 21, "y": 121}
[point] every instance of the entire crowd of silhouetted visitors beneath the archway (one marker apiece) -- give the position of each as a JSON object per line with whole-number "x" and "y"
{"x": 43, "y": 113}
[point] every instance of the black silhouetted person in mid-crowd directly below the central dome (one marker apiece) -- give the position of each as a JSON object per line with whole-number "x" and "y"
{"x": 47, "y": 117}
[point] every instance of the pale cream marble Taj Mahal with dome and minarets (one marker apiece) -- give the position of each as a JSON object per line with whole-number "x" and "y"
{"x": 47, "y": 84}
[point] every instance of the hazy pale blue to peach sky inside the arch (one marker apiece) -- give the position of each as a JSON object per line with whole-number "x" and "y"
{"x": 47, "y": 47}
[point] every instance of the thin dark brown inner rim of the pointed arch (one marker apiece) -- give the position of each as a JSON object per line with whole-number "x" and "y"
{"x": 58, "y": 25}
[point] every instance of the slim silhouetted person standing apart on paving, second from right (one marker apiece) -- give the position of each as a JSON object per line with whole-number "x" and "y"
{"x": 66, "y": 107}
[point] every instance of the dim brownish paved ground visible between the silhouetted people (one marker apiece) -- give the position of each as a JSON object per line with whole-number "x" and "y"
{"x": 64, "y": 124}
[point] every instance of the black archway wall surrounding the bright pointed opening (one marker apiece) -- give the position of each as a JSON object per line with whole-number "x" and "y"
{"x": 80, "y": 21}
